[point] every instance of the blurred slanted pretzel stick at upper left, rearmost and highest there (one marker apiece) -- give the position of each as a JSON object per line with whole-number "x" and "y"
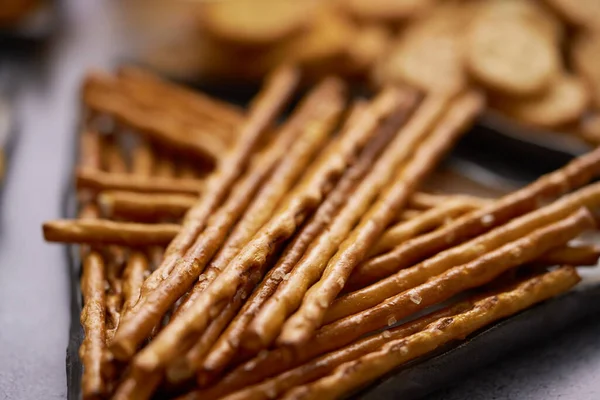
{"x": 192, "y": 101}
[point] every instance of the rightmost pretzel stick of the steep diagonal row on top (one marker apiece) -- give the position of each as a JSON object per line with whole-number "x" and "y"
{"x": 309, "y": 317}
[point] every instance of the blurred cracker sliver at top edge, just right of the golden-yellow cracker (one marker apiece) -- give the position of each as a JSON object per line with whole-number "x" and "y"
{"x": 386, "y": 10}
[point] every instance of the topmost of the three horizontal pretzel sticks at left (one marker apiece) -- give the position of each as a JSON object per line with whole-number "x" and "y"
{"x": 101, "y": 181}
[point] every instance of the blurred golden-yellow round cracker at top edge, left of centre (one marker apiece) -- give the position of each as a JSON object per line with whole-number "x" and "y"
{"x": 255, "y": 22}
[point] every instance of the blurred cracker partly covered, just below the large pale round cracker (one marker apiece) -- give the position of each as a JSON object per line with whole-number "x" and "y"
{"x": 565, "y": 101}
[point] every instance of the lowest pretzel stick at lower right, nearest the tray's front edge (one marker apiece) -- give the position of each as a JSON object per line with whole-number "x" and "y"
{"x": 357, "y": 373}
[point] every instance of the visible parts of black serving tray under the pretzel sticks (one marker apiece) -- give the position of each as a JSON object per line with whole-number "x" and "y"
{"x": 492, "y": 154}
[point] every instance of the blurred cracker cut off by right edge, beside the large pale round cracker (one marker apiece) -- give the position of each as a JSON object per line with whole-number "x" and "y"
{"x": 585, "y": 54}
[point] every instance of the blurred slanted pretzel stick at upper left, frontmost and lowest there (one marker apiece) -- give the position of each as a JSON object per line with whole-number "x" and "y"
{"x": 102, "y": 94}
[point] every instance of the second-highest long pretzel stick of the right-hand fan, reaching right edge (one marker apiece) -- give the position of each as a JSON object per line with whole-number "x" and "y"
{"x": 405, "y": 279}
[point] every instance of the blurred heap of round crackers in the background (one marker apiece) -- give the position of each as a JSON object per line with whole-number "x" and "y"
{"x": 535, "y": 59}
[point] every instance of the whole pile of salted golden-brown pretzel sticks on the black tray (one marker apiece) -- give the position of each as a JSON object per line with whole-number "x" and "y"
{"x": 293, "y": 264}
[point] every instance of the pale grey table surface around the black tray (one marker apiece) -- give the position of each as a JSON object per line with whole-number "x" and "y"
{"x": 34, "y": 298}
